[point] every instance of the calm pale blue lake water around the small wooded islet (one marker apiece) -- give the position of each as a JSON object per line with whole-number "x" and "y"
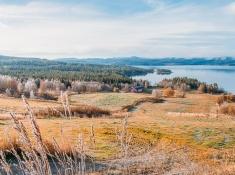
{"x": 224, "y": 76}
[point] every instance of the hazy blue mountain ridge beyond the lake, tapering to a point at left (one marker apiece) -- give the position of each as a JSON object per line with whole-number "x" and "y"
{"x": 138, "y": 61}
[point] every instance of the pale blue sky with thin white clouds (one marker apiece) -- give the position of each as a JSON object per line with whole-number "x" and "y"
{"x": 117, "y": 28}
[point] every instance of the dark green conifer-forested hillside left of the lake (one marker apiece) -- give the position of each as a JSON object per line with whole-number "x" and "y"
{"x": 53, "y": 69}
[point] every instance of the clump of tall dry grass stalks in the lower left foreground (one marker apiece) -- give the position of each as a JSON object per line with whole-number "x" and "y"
{"x": 37, "y": 157}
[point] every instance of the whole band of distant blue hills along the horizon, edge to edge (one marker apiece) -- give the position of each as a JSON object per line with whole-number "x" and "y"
{"x": 129, "y": 61}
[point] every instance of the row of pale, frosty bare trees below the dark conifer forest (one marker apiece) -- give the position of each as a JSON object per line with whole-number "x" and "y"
{"x": 32, "y": 88}
